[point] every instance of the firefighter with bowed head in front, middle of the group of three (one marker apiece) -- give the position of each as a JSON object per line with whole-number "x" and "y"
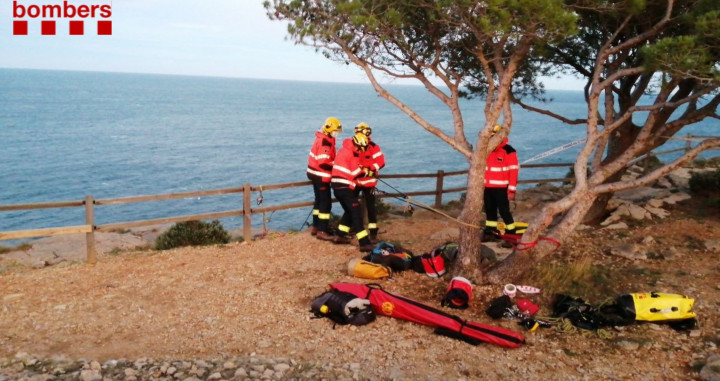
{"x": 346, "y": 170}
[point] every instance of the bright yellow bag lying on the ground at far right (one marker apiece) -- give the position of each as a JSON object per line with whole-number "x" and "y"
{"x": 655, "y": 306}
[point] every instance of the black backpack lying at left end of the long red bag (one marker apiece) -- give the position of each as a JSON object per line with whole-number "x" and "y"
{"x": 342, "y": 308}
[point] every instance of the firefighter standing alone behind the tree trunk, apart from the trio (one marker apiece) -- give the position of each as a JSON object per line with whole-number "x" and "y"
{"x": 500, "y": 185}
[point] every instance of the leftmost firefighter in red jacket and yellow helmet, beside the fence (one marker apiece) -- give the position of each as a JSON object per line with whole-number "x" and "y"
{"x": 320, "y": 163}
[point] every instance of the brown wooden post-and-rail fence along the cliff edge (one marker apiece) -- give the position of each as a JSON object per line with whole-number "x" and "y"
{"x": 89, "y": 203}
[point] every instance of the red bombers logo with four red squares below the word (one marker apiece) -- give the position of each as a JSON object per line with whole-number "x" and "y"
{"x": 74, "y": 13}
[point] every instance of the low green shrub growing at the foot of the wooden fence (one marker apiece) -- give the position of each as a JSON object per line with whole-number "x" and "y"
{"x": 193, "y": 233}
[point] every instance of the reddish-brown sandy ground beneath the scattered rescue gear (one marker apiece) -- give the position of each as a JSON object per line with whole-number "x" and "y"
{"x": 254, "y": 298}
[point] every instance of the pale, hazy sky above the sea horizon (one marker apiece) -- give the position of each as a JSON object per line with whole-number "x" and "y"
{"x": 224, "y": 38}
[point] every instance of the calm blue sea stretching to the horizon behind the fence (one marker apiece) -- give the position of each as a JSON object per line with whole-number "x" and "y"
{"x": 65, "y": 135}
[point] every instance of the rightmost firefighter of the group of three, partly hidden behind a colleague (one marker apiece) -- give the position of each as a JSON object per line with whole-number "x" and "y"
{"x": 374, "y": 160}
